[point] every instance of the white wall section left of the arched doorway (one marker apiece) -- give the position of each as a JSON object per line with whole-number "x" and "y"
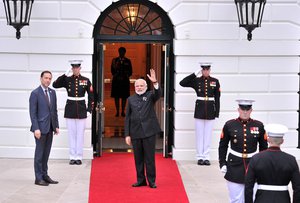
{"x": 58, "y": 31}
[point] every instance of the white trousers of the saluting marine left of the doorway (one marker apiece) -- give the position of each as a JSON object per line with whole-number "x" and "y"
{"x": 76, "y": 129}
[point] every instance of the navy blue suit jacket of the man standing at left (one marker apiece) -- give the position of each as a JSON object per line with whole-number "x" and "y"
{"x": 41, "y": 114}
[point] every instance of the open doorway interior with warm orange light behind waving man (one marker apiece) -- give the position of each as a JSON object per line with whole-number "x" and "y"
{"x": 143, "y": 56}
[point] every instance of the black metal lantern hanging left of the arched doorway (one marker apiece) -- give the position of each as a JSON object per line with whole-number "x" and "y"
{"x": 18, "y": 13}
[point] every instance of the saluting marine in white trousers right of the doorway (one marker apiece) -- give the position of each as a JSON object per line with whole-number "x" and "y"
{"x": 207, "y": 108}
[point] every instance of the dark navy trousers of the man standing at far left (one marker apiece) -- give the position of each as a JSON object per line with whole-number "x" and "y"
{"x": 41, "y": 155}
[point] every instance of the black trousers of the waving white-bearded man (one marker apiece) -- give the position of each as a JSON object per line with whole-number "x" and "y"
{"x": 144, "y": 154}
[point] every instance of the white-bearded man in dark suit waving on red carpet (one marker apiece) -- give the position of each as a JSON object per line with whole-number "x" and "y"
{"x": 141, "y": 127}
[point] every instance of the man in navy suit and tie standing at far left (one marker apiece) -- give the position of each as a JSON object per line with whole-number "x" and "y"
{"x": 44, "y": 121}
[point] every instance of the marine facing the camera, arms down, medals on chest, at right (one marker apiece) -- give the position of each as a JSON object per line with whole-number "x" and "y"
{"x": 243, "y": 134}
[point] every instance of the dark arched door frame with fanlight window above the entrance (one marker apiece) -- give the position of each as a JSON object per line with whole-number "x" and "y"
{"x": 166, "y": 36}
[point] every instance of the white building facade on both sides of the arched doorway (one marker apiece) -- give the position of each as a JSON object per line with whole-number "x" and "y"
{"x": 265, "y": 69}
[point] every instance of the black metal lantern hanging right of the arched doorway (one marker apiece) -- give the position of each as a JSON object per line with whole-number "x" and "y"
{"x": 250, "y": 13}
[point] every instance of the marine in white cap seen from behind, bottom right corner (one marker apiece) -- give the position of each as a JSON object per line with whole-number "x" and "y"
{"x": 273, "y": 170}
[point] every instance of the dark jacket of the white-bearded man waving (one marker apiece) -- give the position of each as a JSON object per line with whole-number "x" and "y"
{"x": 141, "y": 120}
